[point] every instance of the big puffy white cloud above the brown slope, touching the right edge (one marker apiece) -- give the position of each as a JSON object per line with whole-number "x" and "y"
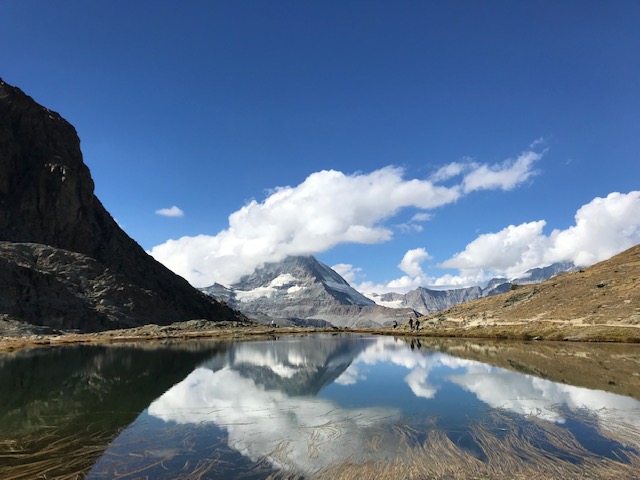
{"x": 603, "y": 228}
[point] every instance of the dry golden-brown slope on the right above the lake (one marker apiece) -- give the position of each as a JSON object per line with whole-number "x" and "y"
{"x": 601, "y": 302}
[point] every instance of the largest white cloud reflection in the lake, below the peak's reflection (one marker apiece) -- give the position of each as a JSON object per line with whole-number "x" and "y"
{"x": 315, "y": 433}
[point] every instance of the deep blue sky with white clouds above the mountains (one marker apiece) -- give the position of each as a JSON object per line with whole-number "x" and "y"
{"x": 354, "y": 106}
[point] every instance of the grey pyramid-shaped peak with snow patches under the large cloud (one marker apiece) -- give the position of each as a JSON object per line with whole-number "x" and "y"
{"x": 304, "y": 290}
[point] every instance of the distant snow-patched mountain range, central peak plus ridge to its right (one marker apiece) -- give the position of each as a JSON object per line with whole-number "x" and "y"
{"x": 301, "y": 290}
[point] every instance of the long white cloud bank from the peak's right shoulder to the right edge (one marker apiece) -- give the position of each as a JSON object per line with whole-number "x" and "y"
{"x": 603, "y": 228}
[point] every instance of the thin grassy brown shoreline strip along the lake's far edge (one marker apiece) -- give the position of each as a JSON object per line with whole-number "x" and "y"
{"x": 195, "y": 329}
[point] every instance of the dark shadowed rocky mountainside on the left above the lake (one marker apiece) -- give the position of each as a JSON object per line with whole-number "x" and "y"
{"x": 65, "y": 263}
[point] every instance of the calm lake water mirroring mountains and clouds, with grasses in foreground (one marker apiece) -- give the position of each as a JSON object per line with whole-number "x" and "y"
{"x": 322, "y": 405}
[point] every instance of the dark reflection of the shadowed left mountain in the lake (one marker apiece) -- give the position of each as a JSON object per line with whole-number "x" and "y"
{"x": 48, "y": 393}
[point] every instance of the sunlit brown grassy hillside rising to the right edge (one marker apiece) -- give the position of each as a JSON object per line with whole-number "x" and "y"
{"x": 605, "y": 294}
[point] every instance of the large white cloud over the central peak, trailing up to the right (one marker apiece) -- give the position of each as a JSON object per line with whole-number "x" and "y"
{"x": 328, "y": 208}
